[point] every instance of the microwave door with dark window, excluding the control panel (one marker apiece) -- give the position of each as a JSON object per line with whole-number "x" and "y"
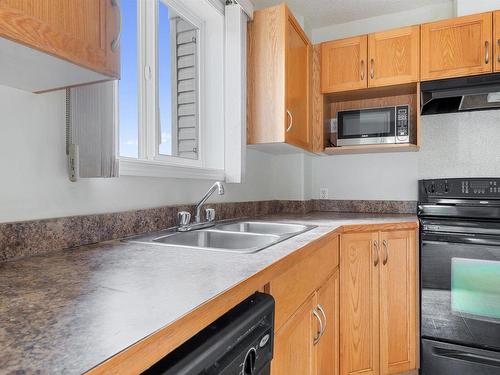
{"x": 366, "y": 126}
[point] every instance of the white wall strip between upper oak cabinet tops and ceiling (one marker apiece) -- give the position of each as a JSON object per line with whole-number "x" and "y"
{"x": 389, "y": 21}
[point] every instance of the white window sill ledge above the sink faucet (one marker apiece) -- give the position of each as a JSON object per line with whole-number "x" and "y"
{"x": 147, "y": 168}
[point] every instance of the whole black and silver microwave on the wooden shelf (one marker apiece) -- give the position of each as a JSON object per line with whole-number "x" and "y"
{"x": 384, "y": 125}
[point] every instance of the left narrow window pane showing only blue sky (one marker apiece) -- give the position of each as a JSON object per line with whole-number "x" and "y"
{"x": 128, "y": 95}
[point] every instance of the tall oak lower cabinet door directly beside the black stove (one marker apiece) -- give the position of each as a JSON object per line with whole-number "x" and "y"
{"x": 398, "y": 299}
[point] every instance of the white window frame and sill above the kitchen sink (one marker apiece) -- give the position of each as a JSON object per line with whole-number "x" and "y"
{"x": 150, "y": 162}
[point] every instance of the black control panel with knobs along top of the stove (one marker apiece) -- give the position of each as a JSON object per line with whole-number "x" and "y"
{"x": 460, "y": 188}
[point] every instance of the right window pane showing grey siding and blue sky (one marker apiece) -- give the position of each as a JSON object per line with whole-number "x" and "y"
{"x": 177, "y": 84}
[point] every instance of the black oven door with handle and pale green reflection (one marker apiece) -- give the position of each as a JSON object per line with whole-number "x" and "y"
{"x": 460, "y": 282}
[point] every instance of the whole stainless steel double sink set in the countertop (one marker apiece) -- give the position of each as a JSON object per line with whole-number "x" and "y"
{"x": 237, "y": 236}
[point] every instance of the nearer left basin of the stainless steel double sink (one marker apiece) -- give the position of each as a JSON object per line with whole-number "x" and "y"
{"x": 219, "y": 240}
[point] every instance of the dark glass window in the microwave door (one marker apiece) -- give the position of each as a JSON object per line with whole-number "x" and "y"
{"x": 377, "y": 122}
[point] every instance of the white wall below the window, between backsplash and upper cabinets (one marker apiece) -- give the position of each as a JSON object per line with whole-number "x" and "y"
{"x": 34, "y": 183}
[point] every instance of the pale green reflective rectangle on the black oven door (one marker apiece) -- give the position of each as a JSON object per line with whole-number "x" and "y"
{"x": 475, "y": 288}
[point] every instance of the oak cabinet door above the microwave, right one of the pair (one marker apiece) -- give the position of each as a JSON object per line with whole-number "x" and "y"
{"x": 394, "y": 57}
